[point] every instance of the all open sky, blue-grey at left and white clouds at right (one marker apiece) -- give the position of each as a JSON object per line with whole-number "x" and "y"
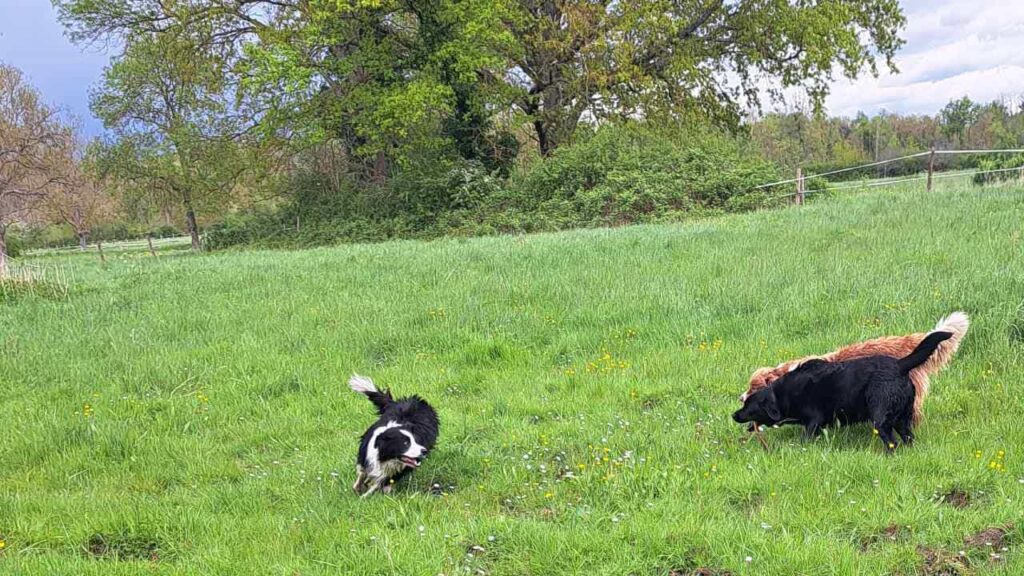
{"x": 955, "y": 48}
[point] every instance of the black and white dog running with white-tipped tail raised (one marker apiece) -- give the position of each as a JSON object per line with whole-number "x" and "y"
{"x": 398, "y": 443}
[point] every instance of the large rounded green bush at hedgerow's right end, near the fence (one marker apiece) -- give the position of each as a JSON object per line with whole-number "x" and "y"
{"x": 637, "y": 174}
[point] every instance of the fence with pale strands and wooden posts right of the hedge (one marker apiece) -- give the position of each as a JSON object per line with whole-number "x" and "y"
{"x": 930, "y": 176}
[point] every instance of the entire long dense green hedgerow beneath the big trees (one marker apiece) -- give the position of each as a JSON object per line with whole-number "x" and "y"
{"x": 615, "y": 176}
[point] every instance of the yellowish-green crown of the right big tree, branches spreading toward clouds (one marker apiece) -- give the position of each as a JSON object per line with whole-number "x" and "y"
{"x": 712, "y": 58}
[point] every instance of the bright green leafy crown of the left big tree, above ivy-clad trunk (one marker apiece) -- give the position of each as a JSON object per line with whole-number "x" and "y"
{"x": 382, "y": 78}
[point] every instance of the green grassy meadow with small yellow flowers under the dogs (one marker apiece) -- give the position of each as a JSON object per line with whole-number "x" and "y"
{"x": 190, "y": 416}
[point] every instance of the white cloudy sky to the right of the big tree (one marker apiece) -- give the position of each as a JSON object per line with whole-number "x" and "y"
{"x": 954, "y": 49}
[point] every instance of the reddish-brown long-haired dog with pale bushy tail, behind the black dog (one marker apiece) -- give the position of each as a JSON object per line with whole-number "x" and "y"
{"x": 895, "y": 347}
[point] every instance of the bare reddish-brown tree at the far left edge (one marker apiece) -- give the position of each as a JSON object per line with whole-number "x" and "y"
{"x": 31, "y": 139}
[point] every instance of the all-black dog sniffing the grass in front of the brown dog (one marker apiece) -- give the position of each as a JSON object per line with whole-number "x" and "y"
{"x": 876, "y": 389}
